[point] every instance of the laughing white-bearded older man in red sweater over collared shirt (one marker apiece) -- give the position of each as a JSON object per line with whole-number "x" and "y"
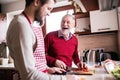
{"x": 61, "y": 46}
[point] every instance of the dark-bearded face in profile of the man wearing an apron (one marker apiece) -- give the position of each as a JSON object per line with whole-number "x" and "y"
{"x": 43, "y": 11}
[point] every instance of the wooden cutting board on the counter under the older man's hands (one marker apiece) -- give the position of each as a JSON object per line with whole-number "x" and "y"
{"x": 76, "y": 71}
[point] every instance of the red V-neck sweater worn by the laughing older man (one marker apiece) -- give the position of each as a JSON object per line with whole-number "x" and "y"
{"x": 59, "y": 48}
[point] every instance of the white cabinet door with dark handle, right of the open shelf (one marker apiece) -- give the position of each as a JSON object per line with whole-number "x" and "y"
{"x": 103, "y": 20}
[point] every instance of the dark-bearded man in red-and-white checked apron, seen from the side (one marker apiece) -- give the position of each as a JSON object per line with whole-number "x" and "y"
{"x": 26, "y": 44}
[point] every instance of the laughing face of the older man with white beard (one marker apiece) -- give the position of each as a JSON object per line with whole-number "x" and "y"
{"x": 67, "y": 24}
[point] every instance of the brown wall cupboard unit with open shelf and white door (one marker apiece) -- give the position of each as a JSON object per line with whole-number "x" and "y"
{"x": 95, "y": 20}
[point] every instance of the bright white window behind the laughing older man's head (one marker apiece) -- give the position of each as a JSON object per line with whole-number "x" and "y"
{"x": 53, "y": 21}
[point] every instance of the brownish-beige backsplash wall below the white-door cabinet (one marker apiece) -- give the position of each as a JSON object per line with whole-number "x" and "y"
{"x": 108, "y": 41}
